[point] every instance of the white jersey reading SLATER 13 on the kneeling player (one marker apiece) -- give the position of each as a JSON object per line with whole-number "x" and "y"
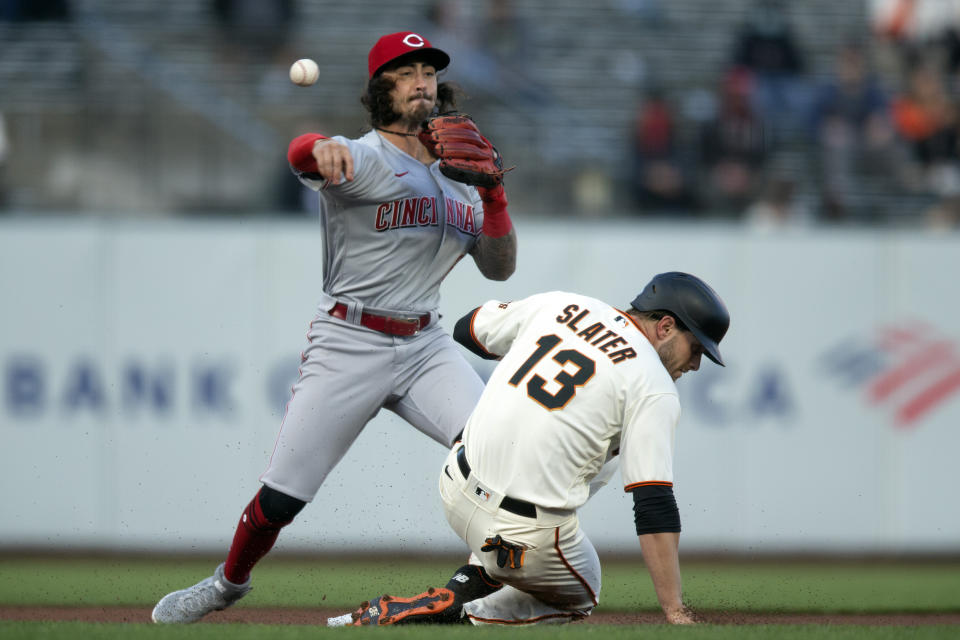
{"x": 578, "y": 384}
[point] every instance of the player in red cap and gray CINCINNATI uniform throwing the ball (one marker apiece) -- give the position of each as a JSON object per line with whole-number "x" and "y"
{"x": 393, "y": 227}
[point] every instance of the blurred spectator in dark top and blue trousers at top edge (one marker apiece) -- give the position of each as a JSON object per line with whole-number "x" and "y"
{"x": 766, "y": 47}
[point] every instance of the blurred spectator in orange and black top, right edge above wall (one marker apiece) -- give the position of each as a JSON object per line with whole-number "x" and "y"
{"x": 927, "y": 118}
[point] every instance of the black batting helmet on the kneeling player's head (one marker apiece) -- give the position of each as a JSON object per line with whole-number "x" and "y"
{"x": 693, "y": 303}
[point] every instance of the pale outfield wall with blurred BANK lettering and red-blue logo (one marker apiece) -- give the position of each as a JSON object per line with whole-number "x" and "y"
{"x": 144, "y": 368}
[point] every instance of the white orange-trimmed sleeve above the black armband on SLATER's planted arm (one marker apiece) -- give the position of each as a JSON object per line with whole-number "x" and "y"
{"x": 646, "y": 446}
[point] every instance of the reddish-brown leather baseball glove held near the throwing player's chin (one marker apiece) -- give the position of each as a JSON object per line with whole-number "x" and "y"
{"x": 465, "y": 155}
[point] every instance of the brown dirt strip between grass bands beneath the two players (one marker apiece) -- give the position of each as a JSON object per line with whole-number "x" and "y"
{"x": 258, "y": 615}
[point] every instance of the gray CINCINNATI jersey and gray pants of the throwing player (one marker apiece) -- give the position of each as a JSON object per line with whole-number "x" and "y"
{"x": 390, "y": 236}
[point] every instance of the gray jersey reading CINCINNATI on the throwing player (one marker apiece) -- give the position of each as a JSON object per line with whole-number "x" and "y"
{"x": 394, "y": 232}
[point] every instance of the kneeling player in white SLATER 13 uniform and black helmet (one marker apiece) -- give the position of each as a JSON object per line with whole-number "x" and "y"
{"x": 580, "y": 385}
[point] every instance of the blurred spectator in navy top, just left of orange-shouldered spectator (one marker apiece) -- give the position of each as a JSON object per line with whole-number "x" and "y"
{"x": 850, "y": 120}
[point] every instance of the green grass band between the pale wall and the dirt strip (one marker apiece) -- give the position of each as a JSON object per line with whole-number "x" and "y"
{"x": 762, "y": 586}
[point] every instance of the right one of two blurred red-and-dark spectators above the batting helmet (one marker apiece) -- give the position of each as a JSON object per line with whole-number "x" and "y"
{"x": 733, "y": 147}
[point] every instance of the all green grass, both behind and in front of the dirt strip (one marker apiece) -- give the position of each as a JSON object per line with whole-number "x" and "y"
{"x": 283, "y": 581}
